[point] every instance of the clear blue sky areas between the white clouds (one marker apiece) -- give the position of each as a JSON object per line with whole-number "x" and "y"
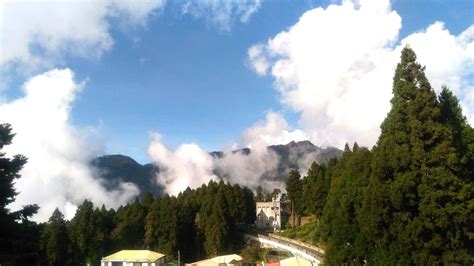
{"x": 189, "y": 79}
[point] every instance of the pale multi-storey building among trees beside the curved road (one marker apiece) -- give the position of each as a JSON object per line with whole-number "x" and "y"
{"x": 271, "y": 214}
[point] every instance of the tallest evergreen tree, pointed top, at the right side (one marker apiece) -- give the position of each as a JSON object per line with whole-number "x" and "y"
{"x": 415, "y": 211}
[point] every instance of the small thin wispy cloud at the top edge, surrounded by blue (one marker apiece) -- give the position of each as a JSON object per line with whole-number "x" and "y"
{"x": 222, "y": 13}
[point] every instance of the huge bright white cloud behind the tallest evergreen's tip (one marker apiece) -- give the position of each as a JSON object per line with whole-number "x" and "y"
{"x": 335, "y": 67}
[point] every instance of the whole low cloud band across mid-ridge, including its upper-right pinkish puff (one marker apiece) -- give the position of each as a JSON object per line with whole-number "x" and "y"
{"x": 191, "y": 166}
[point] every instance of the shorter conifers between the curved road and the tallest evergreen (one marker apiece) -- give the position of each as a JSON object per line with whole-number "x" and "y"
{"x": 340, "y": 229}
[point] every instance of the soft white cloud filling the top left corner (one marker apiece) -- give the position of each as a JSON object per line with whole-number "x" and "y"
{"x": 42, "y": 33}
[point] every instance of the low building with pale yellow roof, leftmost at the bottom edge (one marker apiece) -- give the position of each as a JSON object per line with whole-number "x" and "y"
{"x": 134, "y": 258}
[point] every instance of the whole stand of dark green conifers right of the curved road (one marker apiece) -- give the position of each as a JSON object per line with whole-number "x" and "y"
{"x": 409, "y": 201}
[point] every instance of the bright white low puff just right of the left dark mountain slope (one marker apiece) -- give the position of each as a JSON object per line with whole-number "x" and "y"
{"x": 187, "y": 166}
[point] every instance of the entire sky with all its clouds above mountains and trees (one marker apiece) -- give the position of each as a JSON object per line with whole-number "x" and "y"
{"x": 168, "y": 81}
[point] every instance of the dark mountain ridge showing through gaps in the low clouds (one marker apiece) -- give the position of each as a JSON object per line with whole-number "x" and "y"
{"x": 115, "y": 169}
